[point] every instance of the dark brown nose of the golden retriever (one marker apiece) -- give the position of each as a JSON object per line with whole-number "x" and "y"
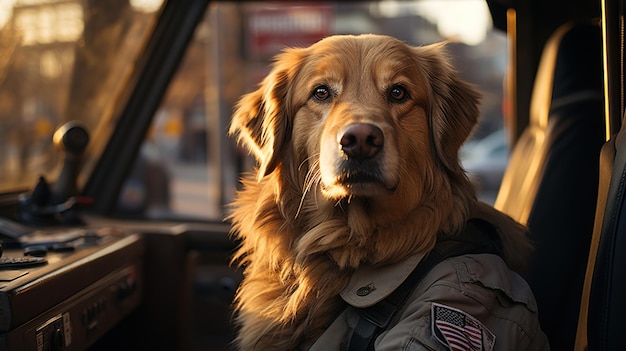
{"x": 361, "y": 140}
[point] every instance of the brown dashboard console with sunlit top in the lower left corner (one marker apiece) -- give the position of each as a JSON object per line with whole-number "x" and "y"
{"x": 66, "y": 299}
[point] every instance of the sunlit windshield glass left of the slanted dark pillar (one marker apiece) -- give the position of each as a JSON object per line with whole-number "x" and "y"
{"x": 63, "y": 61}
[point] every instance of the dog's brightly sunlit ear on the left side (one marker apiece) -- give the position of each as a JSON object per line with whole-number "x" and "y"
{"x": 261, "y": 120}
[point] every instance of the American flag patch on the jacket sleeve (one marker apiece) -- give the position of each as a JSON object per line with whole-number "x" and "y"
{"x": 460, "y": 331}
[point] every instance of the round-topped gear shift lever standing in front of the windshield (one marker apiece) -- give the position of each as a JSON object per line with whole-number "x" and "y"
{"x": 71, "y": 138}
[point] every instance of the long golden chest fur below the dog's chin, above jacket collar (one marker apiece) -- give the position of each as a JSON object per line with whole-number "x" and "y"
{"x": 295, "y": 269}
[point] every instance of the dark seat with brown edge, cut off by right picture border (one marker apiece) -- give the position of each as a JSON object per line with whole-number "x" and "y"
{"x": 602, "y": 322}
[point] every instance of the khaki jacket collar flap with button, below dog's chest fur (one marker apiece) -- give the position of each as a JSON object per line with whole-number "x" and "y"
{"x": 370, "y": 284}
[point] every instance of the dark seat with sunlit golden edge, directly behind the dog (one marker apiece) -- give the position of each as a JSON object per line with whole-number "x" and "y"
{"x": 551, "y": 181}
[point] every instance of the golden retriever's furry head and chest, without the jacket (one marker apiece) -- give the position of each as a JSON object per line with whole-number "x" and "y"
{"x": 357, "y": 141}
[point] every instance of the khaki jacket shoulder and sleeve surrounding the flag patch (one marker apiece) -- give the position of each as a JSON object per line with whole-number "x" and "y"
{"x": 481, "y": 288}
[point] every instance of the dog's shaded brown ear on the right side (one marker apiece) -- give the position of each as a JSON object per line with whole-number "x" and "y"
{"x": 453, "y": 110}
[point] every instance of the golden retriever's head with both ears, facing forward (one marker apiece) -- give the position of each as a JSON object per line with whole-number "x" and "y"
{"x": 362, "y": 117}
